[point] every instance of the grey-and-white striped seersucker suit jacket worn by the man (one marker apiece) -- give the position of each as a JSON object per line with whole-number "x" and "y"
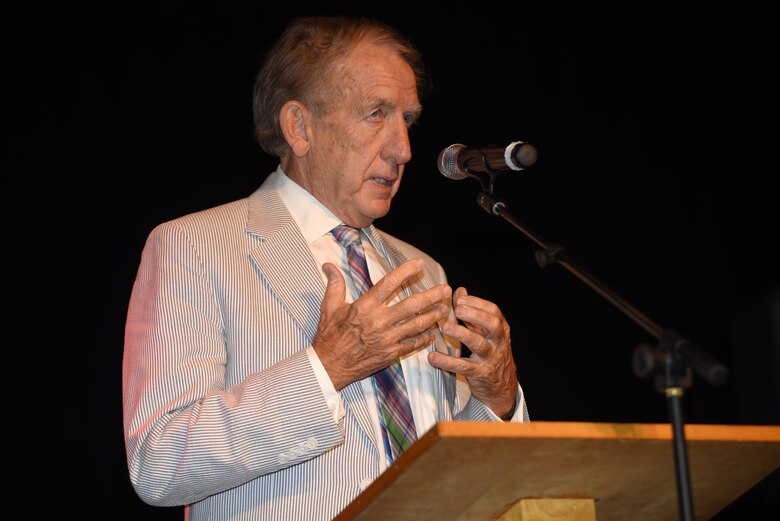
{"x": 222, "y": 410}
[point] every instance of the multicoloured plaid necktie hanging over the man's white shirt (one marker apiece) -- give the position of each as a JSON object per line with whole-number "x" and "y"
{"x": 398, "y": 431}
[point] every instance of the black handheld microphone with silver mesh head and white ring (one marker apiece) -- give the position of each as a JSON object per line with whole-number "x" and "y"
{"x": 459, "y": 161}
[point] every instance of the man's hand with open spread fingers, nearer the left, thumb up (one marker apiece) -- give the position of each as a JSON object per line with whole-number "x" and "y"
{"x": 356, "y": 340}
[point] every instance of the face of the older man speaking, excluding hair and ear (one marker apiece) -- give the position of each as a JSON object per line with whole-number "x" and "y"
{"x": 358, "y": 149}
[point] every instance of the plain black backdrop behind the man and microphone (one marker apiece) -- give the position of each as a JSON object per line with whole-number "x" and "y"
{"x": 657, "y": 131}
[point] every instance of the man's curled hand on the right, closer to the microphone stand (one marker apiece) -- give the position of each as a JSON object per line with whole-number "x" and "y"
{"x": 490, "y": 370}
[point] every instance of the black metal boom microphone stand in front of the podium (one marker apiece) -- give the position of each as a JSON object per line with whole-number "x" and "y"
{"x": 670, "y": 361}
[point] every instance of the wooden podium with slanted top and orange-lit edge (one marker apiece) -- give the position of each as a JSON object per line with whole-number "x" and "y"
{"x": 480, "y": 471}
